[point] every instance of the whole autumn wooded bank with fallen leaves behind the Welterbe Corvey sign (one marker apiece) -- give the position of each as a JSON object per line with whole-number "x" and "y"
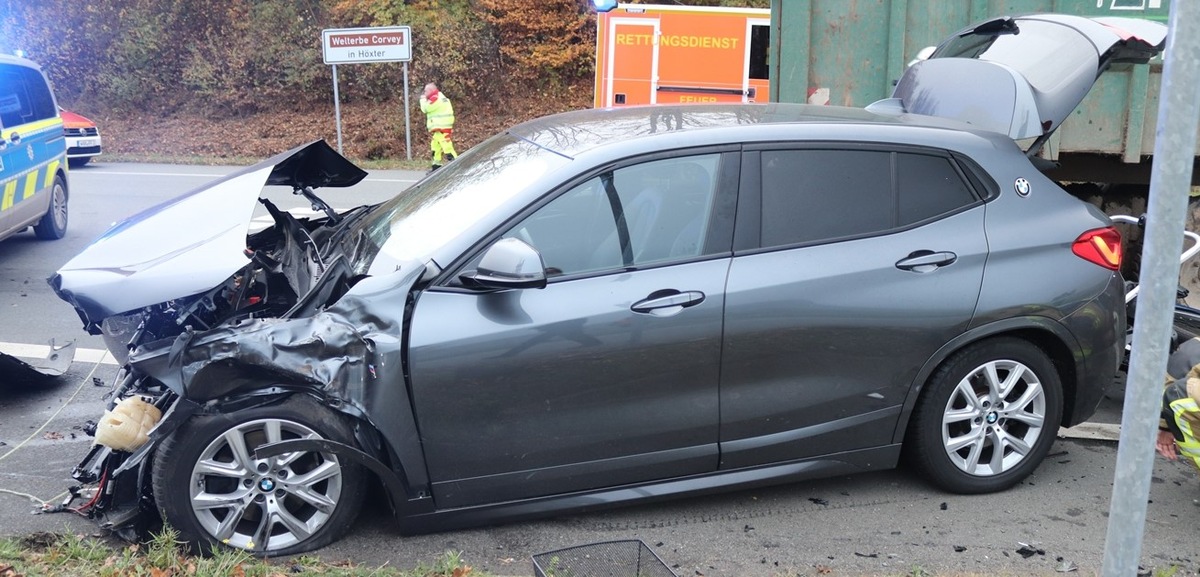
{"x": 247, "y": 77}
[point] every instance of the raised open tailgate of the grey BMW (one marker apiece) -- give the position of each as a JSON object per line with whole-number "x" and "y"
{"x": 1028, "y": 74}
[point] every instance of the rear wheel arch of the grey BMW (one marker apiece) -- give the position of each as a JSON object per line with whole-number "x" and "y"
{"x": 1048, "y": 335}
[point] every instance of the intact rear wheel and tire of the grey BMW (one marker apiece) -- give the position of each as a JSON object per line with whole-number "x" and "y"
{"x": 988, "y": 418}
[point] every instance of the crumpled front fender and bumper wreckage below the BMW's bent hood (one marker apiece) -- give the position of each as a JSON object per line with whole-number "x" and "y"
{"x": 349, "y": 357}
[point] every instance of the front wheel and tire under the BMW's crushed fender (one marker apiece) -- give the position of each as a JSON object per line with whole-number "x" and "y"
{"x": 211, "y": 489}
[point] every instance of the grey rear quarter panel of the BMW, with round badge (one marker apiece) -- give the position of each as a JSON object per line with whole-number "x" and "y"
{"x": 1071, "y": 308}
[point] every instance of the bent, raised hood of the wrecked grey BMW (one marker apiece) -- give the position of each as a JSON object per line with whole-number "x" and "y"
{"x": 191, "y": 243}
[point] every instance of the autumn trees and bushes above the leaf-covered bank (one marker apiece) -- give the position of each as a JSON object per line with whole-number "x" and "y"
{"x": 231, "y": 58}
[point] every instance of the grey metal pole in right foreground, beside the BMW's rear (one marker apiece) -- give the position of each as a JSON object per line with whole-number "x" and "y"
{"x": 1175, "y": 140}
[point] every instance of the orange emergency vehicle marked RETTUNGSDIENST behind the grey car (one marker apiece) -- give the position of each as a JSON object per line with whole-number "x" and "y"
{"x": 681, "y": 55}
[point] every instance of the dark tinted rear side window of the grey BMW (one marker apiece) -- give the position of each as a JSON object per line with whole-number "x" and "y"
{"x": 814, "y": 196}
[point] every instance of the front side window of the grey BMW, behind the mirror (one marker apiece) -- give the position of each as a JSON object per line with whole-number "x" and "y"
{"x": 628, "y": 218}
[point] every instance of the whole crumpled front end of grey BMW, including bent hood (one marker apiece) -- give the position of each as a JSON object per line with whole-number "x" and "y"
{"x": 293, "y": 312}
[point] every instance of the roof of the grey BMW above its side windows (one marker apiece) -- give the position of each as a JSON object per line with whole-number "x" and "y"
{"x": 577, "y": 133}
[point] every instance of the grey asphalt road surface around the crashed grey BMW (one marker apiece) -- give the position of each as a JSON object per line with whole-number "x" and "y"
{"x": 879, "y": 524}
